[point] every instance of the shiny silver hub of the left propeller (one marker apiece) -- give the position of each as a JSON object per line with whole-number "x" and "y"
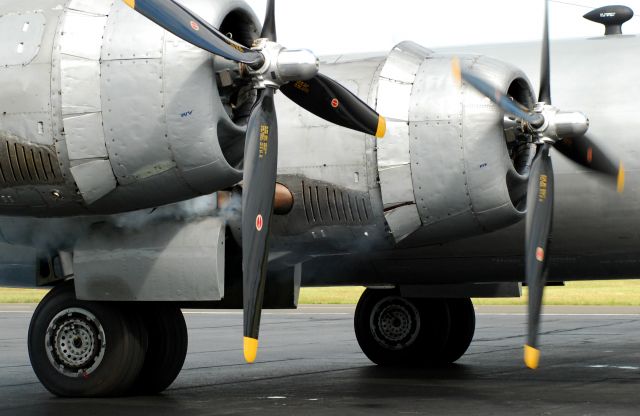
{"x": 282, "y": 65}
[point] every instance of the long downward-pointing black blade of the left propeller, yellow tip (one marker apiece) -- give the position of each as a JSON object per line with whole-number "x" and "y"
{"x": 260, "y": 168}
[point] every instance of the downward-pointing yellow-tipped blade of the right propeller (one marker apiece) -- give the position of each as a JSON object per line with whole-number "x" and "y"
{"x": 538, "y": 228}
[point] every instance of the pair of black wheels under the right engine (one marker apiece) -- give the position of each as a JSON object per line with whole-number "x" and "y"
{"x": 397, "y": 331}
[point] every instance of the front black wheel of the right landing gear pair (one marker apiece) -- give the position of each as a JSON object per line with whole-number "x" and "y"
{"x": 398, "y": 331}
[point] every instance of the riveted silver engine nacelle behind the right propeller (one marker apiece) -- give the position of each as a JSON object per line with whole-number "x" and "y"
{"x": 449, "y": 167}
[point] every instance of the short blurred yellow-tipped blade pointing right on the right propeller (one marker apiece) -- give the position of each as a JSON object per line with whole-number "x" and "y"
{"x": 585, "y": 151}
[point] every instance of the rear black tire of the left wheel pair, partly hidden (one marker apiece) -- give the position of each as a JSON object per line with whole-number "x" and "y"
{"x": 166, "y": 351}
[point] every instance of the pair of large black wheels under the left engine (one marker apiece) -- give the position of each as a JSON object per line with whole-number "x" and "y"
{"x": 94, "y": 349}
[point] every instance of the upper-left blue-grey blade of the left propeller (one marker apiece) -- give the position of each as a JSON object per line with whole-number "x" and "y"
{"x": 188, "y": 26}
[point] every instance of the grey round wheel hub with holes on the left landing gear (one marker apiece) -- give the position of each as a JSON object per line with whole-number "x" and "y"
{"x": 75, "y": 342}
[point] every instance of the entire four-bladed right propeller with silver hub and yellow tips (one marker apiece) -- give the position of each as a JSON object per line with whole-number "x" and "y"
{"x": 548, "y": 127}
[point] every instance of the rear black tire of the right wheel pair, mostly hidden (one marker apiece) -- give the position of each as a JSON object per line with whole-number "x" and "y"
{"x": 463, "y": 326}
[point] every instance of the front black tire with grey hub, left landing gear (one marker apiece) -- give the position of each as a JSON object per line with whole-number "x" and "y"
{"x": 97, "y": 366}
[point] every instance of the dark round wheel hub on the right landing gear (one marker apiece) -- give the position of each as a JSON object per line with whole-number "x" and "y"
{"x": 395, "y": 323}
